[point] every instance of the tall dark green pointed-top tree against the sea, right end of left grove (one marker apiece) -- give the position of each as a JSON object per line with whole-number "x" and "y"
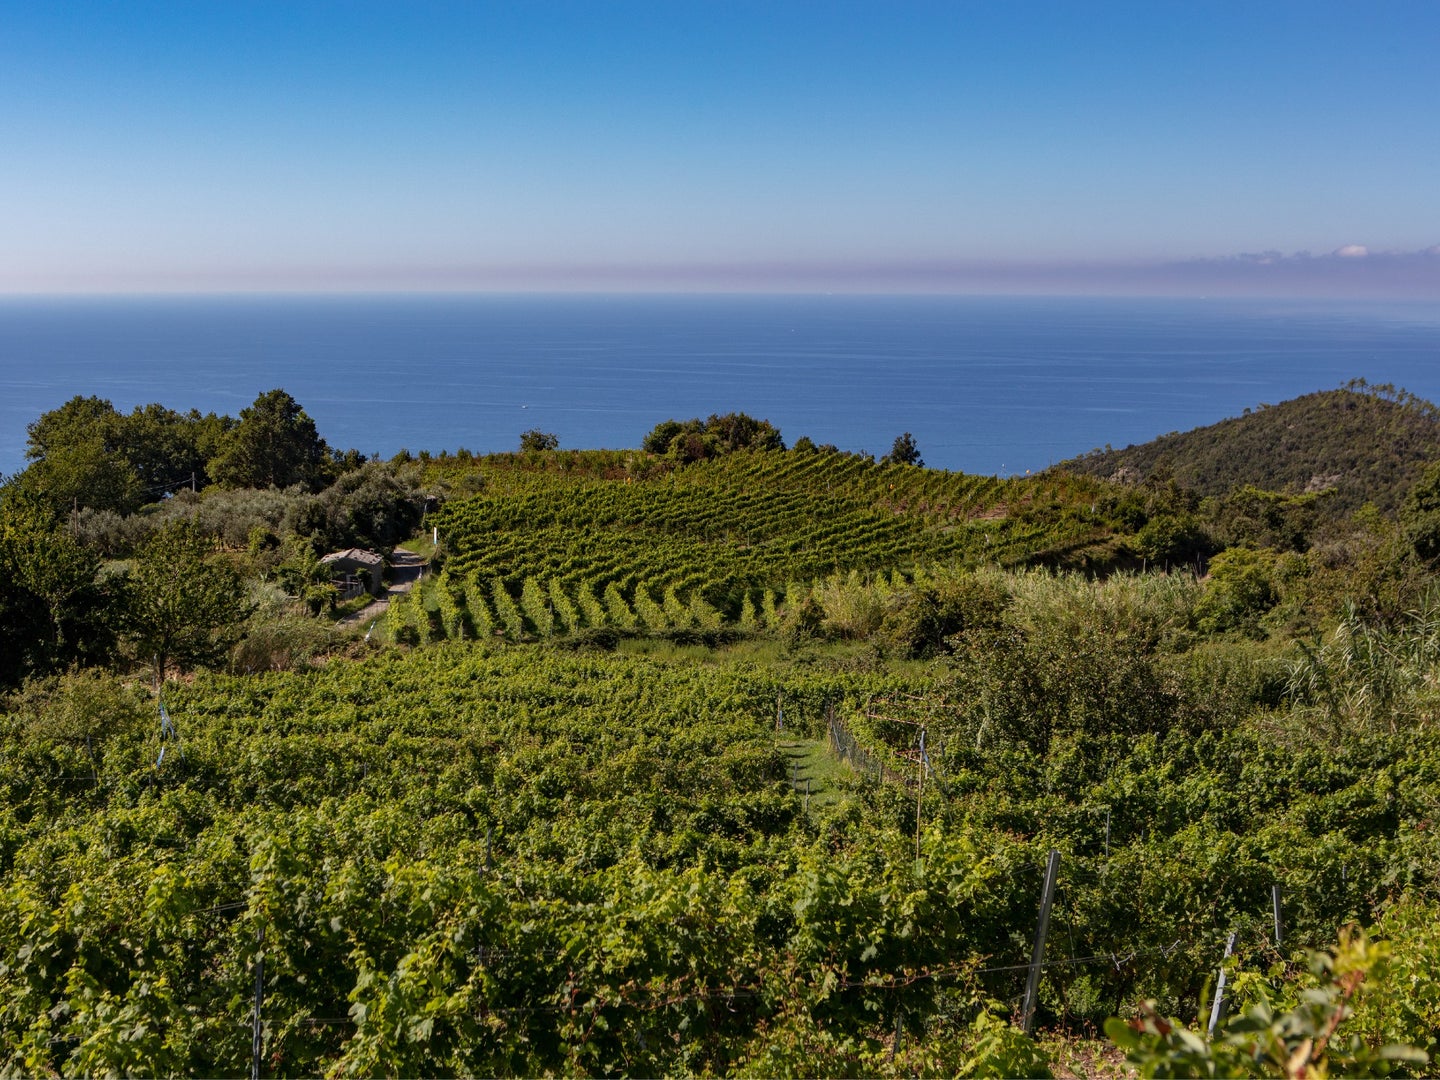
{"x": 276, "y": 444}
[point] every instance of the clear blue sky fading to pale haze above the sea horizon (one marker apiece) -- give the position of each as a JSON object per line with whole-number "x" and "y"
{"x": 1010, "y": 146}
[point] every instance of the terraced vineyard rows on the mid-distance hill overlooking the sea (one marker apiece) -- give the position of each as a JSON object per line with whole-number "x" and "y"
{"x": 726, "y": 542}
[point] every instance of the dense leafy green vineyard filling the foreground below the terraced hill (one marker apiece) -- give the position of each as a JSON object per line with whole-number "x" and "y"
{"x": 485, "y": 859}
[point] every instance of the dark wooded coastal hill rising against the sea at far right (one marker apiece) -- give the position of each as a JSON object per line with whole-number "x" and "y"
{"x": 1364, "y": 444}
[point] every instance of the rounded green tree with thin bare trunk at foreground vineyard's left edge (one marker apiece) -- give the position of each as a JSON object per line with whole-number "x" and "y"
{"x": 184, "y": 606}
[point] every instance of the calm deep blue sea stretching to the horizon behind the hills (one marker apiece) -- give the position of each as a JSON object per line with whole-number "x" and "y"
{"x": 986, "y": 385}
